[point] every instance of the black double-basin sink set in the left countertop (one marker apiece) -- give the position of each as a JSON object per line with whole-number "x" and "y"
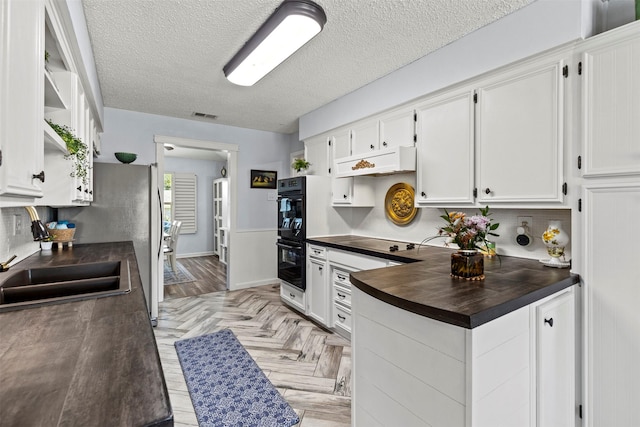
{"x": 54, "y": 285}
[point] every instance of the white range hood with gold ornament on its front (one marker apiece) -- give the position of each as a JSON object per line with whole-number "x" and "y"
{"x": 379, "y": 162}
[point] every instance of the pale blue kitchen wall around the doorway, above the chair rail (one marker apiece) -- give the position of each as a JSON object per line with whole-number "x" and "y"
{"x": 133, "y": 132}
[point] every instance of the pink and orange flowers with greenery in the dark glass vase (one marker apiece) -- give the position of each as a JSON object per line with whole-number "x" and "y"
{"x": 468, "y": 232}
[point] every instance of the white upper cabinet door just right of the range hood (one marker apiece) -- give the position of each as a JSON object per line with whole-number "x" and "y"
{"x": 445, "y": 135}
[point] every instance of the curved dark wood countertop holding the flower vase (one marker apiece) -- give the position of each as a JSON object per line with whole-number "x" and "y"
{"x": 424, "y": 286}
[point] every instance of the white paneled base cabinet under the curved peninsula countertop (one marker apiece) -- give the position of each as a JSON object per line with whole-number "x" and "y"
{"x": 428, "y": 372}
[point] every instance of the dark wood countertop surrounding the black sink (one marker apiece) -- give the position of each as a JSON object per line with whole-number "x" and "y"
{"x": 85, "y": 363}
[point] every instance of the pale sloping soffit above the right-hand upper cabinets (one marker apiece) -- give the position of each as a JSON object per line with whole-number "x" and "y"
{"x": 542, "y": 25}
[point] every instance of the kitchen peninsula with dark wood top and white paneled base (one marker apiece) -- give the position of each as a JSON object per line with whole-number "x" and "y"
{"x": 432, "y": 350}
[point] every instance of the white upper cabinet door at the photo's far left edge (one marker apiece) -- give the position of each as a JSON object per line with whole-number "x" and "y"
{"x": 22, "y": 94}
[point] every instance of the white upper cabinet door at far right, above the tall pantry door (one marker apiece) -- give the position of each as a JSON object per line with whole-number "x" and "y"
{"x": 611, "y": 103}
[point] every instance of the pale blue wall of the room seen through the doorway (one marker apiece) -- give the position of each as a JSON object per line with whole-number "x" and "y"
{"x": 200, "y": 243}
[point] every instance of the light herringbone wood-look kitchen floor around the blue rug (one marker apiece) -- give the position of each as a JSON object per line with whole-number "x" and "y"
{"x": 310, "y": 367}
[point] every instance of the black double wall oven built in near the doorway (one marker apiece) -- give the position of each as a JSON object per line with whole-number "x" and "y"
{"x": 291, "y": 231}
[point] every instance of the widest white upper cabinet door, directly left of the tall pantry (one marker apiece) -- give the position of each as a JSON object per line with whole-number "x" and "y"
{"x": 519, "y": 135}
